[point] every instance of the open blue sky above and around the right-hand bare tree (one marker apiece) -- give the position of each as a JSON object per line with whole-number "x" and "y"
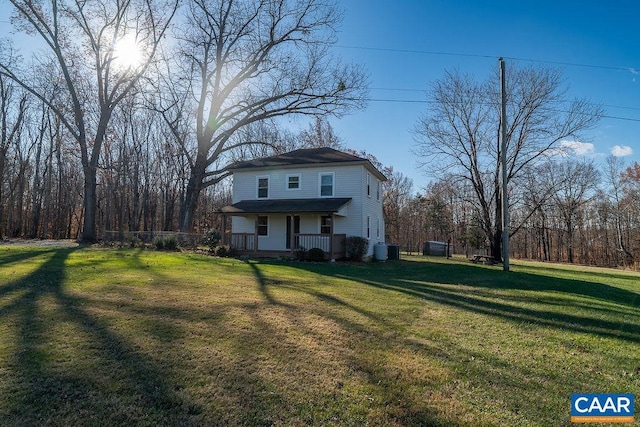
{"x": 387, "y": 38}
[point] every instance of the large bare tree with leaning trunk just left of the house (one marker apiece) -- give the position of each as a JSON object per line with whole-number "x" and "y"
{"x": 244, "y": 61}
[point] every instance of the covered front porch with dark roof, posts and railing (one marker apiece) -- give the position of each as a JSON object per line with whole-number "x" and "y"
{"x": 283, "y": 227}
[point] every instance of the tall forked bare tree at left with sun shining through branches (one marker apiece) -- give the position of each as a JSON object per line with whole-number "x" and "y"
{"x": 87, "y": 42}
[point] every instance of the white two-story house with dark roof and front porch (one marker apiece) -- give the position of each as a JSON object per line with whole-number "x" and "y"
{"x": 305, "y": 198}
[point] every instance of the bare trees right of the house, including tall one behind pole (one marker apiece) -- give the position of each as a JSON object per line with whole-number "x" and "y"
{"x": 562, "y": 207}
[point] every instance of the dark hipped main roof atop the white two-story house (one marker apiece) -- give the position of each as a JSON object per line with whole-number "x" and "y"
{"x": 306, "y": 156}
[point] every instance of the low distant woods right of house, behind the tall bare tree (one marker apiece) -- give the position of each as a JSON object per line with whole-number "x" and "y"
{"x": 592, "y": 215}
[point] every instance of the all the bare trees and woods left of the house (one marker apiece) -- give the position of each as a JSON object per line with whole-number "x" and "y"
{"x": 186, "y": 87}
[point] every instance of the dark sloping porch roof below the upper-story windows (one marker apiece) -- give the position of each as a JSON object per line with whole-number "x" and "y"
{"x": 286, "y": 206}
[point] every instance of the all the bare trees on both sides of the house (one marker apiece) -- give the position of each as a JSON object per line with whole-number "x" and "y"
{"x": 128, "y": 114}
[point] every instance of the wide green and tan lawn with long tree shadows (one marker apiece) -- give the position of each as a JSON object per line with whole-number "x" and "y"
{"x": 135, "y": 337}
